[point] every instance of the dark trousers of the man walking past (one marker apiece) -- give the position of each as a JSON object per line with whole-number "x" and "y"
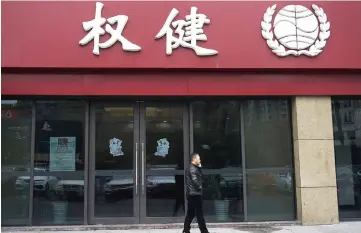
{"x": 195, "y": 208}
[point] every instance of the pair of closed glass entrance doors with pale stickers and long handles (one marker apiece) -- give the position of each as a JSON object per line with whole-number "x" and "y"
{"x": 137, "y": 157}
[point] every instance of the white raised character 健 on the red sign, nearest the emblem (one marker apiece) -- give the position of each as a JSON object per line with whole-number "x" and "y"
{"x": 189, "y": 32}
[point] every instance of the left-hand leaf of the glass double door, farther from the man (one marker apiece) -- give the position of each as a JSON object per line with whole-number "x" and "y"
{"x": 114, "y": 162}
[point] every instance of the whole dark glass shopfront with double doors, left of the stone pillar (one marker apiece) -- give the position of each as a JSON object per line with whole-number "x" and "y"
{"x": 80, "y": 161}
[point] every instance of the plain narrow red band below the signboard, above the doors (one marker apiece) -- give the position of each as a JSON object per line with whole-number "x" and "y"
{"x": 181, "y": 84}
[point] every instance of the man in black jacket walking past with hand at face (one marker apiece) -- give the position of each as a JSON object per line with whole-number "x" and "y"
{"x": 194, "y": 195}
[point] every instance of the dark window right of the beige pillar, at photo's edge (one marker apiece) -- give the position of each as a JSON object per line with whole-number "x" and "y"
{"x": 347, "y": 139}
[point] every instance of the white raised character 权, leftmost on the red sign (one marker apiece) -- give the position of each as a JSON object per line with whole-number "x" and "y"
{"x": 96, "y": 30}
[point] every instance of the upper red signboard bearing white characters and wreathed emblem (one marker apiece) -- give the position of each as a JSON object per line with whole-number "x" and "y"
{"x": 47, "y": 34}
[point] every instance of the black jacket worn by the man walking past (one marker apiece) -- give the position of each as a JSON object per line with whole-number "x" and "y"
{"x": 194, "y": 180}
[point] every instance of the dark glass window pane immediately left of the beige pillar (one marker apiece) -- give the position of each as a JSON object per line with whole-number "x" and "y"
{"x": 269, "y": 164}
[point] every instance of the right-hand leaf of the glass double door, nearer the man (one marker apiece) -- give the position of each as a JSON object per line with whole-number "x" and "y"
{"x": 164, "y": 146}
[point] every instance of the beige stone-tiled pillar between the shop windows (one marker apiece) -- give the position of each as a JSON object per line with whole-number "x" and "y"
{"x": 315, "y": 174}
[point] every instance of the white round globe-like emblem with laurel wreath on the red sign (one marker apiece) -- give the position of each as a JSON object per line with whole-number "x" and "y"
{"x": 296, "y": 30}
